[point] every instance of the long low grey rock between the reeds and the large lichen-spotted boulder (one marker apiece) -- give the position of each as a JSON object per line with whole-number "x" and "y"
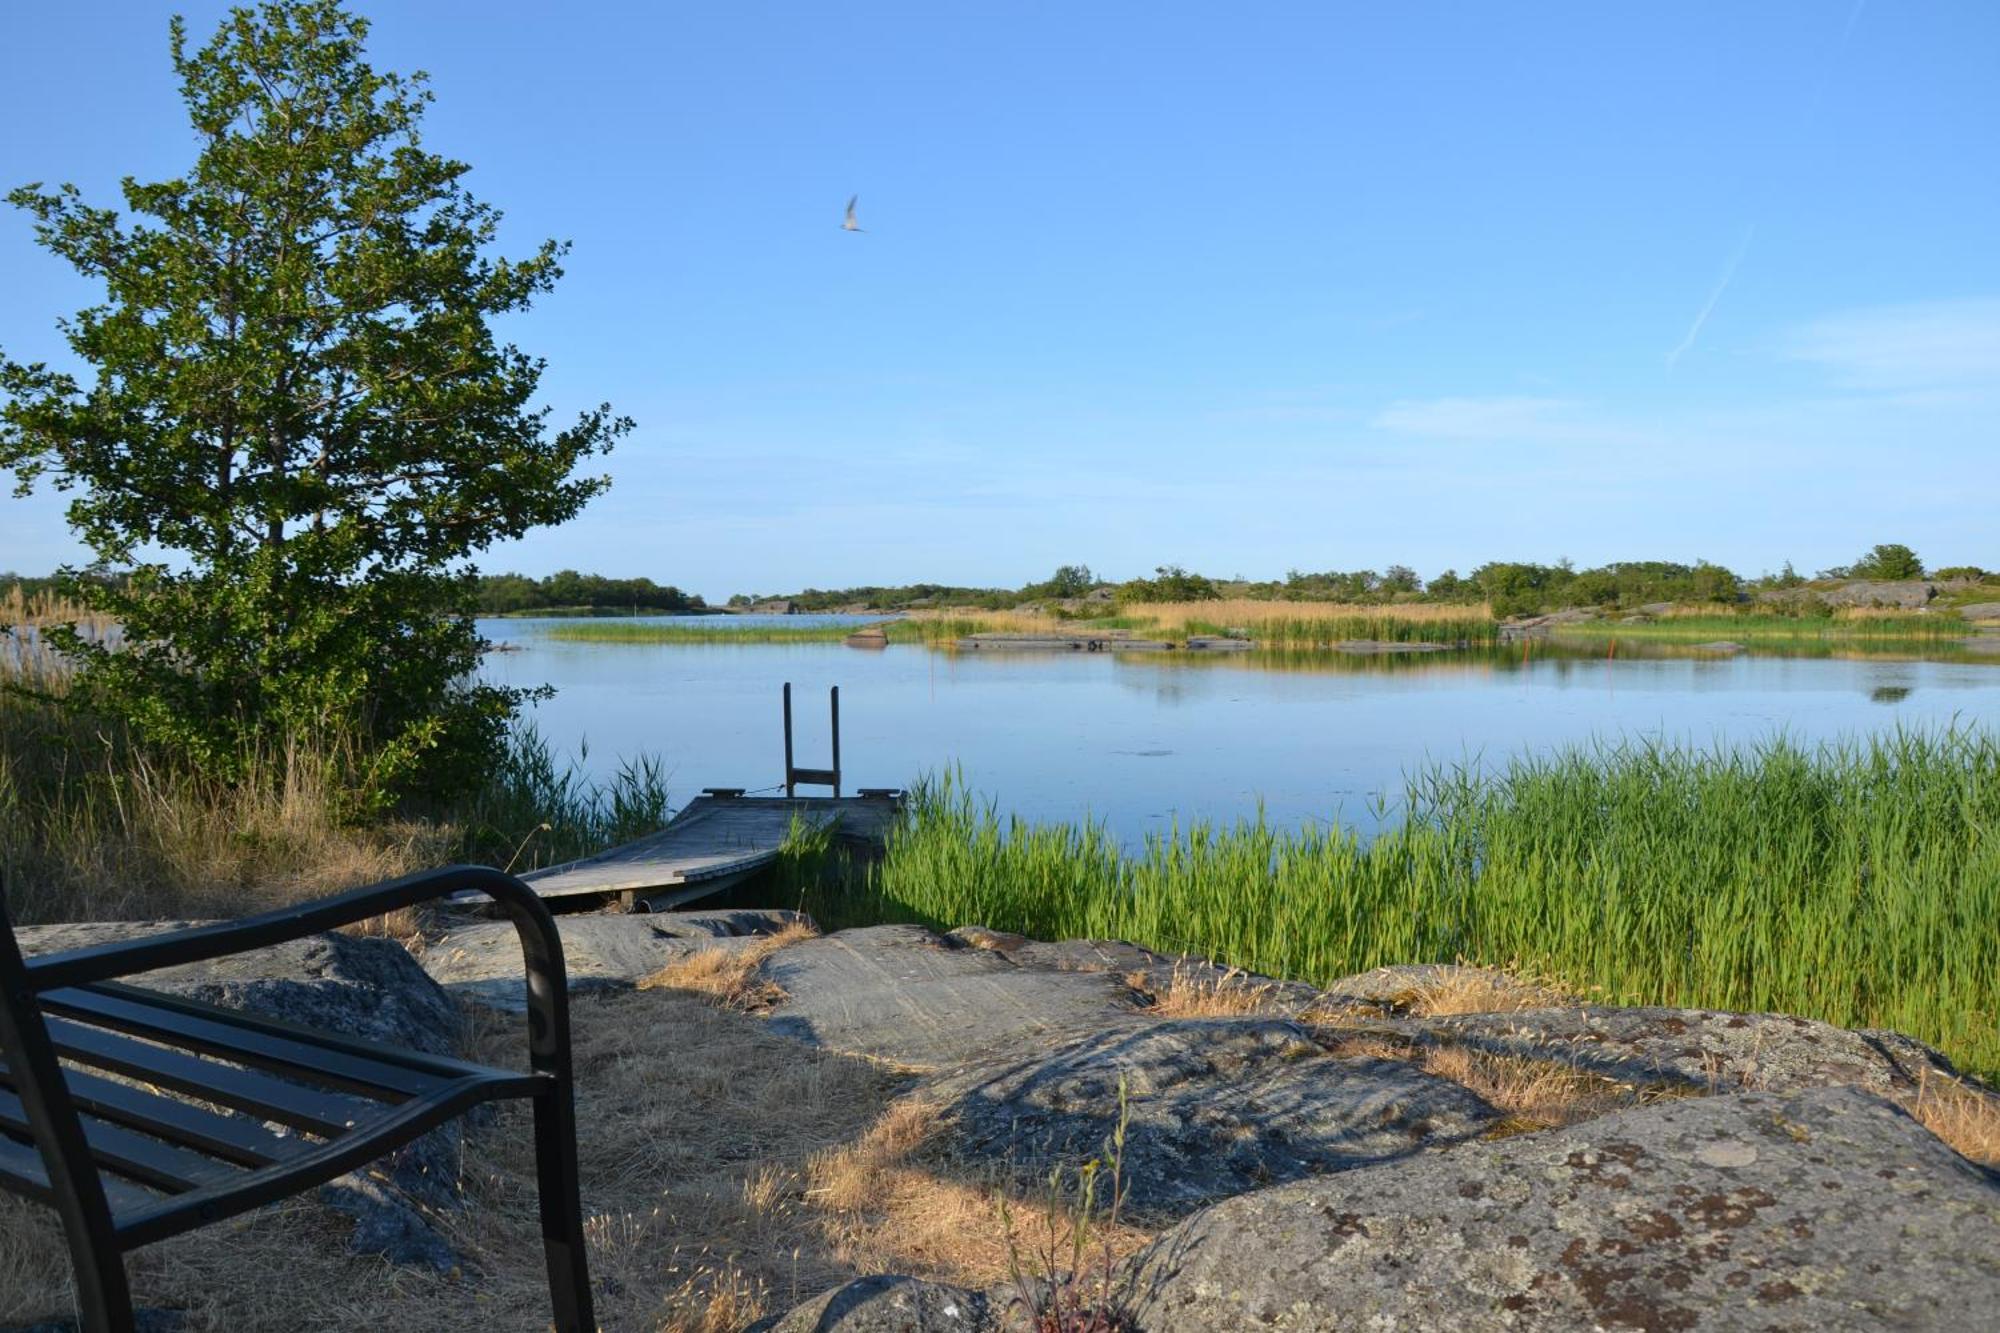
{"x": 1699, "y": 1048}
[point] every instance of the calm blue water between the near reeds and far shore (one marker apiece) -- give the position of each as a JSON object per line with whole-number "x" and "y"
{"x": 1143, "y": 740}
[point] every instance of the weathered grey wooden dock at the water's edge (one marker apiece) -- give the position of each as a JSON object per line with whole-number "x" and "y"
{"x": 715, "y": 844}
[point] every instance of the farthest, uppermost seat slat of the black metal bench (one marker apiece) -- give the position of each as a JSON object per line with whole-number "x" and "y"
{"x": 245, "y": 1044}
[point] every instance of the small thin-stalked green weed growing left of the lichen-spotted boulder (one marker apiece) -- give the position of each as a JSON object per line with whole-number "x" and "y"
{"x": 1067, "y": 1284}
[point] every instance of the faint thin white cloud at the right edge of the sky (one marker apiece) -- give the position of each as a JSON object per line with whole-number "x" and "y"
{"x": 1927, "y": 345}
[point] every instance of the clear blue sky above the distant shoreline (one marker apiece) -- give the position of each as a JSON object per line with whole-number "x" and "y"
{"x": 1237, "y": 287}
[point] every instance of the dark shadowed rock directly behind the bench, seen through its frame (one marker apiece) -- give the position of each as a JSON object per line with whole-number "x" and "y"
{"x": 337, "y": 984}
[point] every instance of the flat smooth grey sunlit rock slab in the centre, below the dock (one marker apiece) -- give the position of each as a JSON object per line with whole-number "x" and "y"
{"x": 905, "y": 994}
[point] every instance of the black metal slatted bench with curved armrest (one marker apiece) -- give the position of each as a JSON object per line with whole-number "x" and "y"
{"x": 219, "y": 1112}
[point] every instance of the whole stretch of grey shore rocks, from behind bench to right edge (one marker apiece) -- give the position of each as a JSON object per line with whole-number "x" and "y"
{"x": 1415, "y": 1148}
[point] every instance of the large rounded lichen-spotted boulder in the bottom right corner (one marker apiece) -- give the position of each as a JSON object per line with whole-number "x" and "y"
{"x": 1829, "y": 1212}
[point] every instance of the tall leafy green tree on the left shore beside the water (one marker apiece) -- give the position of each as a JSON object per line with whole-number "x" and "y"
{"x": 299, "y": 425}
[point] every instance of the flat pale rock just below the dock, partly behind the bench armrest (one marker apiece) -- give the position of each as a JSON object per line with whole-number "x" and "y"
{"x": 479, "y": 962}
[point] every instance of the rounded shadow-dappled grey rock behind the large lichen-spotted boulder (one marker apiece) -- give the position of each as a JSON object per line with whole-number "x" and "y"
{"x": 1217, "y": 1108}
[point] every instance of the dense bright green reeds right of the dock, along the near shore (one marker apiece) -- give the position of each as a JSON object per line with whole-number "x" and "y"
{"x": 1855, "y": 884}
